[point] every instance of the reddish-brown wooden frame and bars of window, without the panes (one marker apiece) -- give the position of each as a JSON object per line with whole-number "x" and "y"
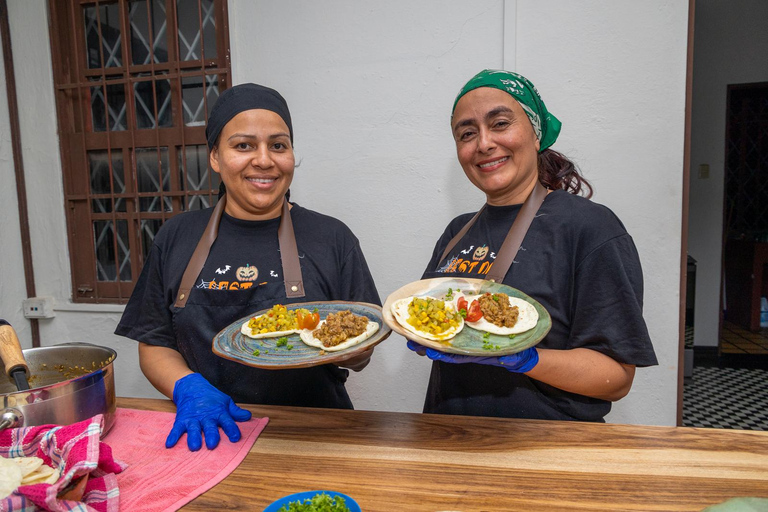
{"x": 73, "y": 83}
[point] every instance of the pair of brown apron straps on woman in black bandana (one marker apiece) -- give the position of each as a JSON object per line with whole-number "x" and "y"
{"x": 294, "y": 285}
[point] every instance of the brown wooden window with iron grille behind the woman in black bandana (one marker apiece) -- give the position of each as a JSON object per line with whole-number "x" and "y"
{"x": 134, "y": 81}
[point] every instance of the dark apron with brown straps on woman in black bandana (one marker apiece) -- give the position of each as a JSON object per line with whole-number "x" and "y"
{"x": 199, "y": 314}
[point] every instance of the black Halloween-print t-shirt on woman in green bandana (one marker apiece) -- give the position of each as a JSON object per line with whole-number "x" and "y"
{"x": 579, "y": 262}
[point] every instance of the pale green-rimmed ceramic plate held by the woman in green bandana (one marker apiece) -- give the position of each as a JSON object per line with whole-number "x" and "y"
{"x": 469, "y": 341}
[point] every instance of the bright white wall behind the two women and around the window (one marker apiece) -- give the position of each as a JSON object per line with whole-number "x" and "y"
{"x": 370, "y": 86}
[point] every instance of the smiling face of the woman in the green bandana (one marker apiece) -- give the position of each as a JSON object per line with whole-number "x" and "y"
{"x": 496, "y": 145}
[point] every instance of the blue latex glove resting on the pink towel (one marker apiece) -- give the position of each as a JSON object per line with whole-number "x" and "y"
{"x": 202, "y": 409}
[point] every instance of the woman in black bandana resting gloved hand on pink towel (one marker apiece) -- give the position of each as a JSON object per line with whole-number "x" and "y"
{"x": 246, "y": 269}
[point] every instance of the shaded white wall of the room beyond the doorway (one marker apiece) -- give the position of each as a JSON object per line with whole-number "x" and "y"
{"x": 730, "y": 47}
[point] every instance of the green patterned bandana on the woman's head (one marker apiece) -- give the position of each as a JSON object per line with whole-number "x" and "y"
{"x": 545, "y": 125}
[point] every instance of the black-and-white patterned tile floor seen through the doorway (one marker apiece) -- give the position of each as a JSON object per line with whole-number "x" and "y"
{"x": 730, "y": 391}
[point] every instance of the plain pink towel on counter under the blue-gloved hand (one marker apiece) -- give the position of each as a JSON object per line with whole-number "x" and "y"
{"x": 162, "y": 479}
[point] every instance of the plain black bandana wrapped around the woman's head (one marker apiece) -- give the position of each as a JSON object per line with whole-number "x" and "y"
{"x": 239, "y": 99}
